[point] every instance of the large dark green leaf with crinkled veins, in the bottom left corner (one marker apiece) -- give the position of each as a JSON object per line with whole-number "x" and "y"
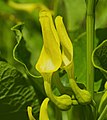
{"x": 16, "y": 93}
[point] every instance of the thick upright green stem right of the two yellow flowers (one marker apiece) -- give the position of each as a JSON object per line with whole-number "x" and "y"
{"x": 90, "y": 26}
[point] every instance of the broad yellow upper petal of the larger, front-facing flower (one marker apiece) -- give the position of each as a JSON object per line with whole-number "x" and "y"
{"x": 50, "y": 57}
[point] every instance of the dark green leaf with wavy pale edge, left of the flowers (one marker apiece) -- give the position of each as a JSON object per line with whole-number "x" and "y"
{"x": 20, "y": 52}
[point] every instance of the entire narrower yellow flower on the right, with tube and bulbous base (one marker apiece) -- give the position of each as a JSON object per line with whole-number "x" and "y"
{"x": 83, "y": 96}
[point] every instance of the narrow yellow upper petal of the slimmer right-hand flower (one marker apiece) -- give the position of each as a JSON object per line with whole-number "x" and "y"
{"x": 67, "y": 47}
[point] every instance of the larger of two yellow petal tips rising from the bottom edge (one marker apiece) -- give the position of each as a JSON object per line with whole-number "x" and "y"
{"x": 43, "y": 110}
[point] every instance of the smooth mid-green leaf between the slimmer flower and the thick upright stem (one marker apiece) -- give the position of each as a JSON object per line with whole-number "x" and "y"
{"x": 79, "y": 46}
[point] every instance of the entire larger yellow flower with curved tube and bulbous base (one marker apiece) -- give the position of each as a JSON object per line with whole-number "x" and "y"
{"x": 50, "y": 59}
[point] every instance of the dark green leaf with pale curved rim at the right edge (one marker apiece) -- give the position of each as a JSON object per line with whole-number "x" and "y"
{"x": 99, "y": 57}
